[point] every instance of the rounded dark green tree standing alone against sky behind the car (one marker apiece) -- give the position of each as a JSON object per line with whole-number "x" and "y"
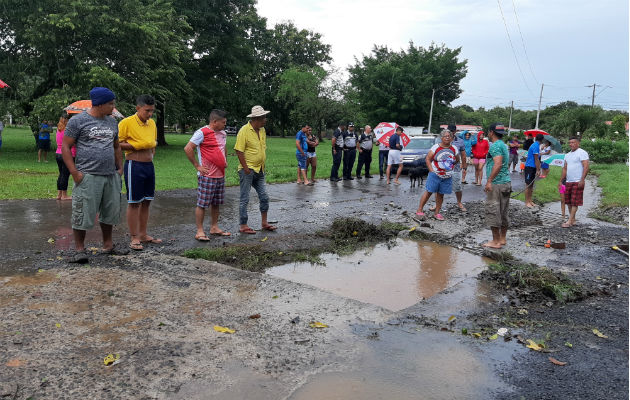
{"x": 389, "y": 85}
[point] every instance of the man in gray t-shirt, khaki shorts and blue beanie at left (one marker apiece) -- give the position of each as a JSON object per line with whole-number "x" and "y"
{"x": 97, "y": 170}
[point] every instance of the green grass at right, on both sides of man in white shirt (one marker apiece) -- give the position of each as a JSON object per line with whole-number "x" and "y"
{"x": 613, "y": 179}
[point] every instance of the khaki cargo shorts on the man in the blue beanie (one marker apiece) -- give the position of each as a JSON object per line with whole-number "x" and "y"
{"x": 96, "y": 194}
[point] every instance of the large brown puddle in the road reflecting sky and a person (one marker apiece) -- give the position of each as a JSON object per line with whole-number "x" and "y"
{"x": 394, "y": 278}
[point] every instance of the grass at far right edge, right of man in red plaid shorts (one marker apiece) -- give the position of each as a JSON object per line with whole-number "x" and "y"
{"x": 613, "y": 179}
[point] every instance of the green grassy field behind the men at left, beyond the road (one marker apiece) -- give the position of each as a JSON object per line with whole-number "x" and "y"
{"x": 21, "y": 177}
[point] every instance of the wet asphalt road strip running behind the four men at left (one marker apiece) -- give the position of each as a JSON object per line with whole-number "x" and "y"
{"x": 28, "y": 225}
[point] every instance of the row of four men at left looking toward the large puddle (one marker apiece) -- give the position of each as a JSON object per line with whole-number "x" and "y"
{"x": 92, "y": 145}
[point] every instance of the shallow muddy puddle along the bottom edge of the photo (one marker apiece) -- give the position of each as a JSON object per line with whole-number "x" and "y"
{"x": 404, "y": 366}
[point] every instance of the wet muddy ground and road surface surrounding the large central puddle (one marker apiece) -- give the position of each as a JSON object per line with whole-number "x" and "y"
{"x": 156, "y": 310}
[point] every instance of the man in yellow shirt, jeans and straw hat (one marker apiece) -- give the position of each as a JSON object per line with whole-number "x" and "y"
{"x": 251, "y": 146}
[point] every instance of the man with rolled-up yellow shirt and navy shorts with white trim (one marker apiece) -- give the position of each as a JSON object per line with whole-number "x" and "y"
{"x": 138, "y": 135}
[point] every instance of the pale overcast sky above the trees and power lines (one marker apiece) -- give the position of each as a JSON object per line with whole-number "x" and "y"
{"x": 564, "y": 44}
